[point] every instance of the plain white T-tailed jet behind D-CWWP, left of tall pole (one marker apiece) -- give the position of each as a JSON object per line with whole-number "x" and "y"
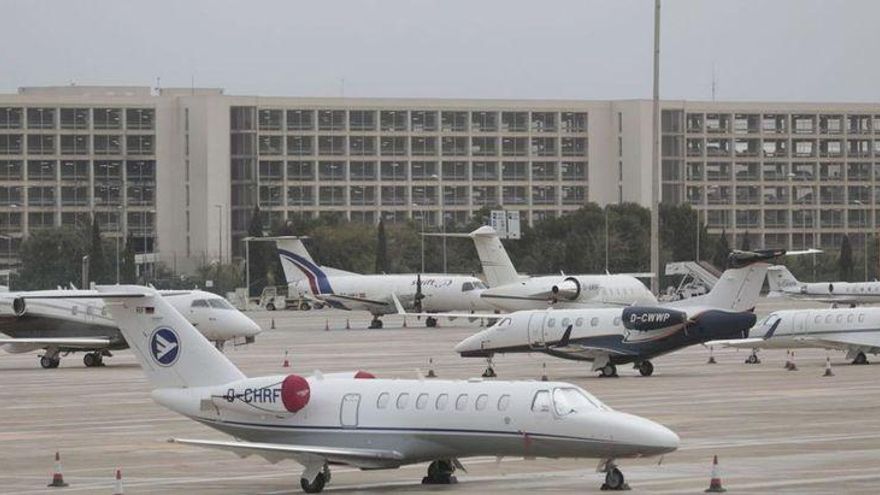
{"x": 510, "y": 291}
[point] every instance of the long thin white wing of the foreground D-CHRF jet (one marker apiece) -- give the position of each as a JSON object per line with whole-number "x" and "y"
{"x": 303, "y": 454}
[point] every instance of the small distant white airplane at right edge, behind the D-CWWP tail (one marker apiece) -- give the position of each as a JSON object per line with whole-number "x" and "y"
{"x": 783, "y": 284}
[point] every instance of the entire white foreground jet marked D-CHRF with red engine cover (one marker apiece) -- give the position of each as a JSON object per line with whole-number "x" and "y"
{"x": 365, "y": 422}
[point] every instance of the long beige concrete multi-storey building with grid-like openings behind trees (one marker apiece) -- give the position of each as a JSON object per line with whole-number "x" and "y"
{"x": 181, "y": 169}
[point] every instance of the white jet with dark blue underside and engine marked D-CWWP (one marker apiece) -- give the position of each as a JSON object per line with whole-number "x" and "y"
{"x": 636, "y": 334}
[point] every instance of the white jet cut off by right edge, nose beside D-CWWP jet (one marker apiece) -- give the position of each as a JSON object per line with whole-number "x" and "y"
{"x": 854, "y": 330}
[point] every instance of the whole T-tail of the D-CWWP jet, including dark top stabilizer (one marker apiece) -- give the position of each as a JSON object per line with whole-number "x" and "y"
{"x": 739, "y": 287}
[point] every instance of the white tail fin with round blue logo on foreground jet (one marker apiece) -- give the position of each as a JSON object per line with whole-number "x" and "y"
{"x": 170, "y": 350}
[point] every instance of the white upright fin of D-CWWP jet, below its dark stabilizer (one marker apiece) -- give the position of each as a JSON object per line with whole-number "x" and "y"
{"x": 737, "y": 289}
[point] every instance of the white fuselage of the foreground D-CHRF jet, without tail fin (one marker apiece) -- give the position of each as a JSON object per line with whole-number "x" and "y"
{"x": 424, "y": 420}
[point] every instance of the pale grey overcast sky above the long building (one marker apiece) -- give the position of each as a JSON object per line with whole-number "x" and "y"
{"x": 814, "y": 50}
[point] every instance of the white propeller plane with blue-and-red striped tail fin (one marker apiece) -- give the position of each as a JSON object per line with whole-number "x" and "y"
{"x": 424, "y": 293}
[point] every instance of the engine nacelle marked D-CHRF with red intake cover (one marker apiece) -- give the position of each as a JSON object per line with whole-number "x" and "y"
{"x": 265, "y": 395}
